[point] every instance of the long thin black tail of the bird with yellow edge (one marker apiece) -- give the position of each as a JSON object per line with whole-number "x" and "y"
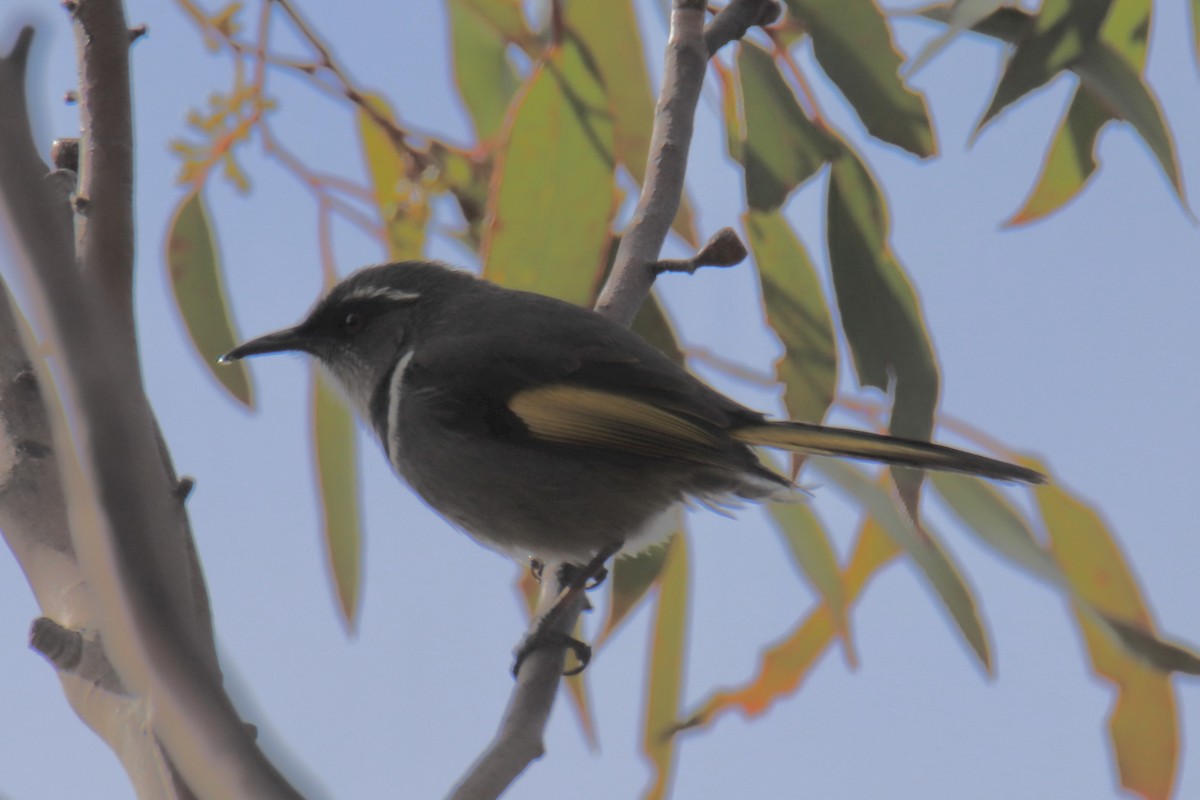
{"x": 823, "y": 441}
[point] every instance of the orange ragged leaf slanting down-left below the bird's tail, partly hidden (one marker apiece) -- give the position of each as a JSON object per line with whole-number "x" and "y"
{"x": 787, "y": 664}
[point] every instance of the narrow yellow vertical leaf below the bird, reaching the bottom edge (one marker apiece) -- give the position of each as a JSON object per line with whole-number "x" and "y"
{"x": 665, "y": 677}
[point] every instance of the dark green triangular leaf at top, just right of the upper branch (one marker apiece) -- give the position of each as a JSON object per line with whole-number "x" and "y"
{"x": 783, "y": 148}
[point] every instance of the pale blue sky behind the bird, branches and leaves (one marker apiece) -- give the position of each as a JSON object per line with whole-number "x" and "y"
{"x": 1076, "y": 339}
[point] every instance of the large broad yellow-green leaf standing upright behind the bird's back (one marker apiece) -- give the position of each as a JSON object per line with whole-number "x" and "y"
{"x": 555, "y": 175}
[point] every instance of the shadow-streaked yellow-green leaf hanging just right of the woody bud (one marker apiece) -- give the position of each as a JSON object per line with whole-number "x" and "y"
{"x": 796, "y": 310}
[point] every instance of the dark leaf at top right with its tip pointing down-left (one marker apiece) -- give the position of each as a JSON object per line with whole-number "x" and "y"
{"x": 1061, "y": 34}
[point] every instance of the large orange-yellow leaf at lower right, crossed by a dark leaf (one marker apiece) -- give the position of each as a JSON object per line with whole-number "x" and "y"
{"x": 1144, "y": 726}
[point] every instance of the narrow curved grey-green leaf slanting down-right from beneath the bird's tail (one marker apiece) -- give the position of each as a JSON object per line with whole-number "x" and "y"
{"x": 935, "y": 564}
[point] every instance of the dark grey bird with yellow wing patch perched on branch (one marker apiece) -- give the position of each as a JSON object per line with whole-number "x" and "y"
{"x": 544, "y": 430}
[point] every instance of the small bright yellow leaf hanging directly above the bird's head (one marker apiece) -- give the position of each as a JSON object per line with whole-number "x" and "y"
{"x": 400, "y": 200}
